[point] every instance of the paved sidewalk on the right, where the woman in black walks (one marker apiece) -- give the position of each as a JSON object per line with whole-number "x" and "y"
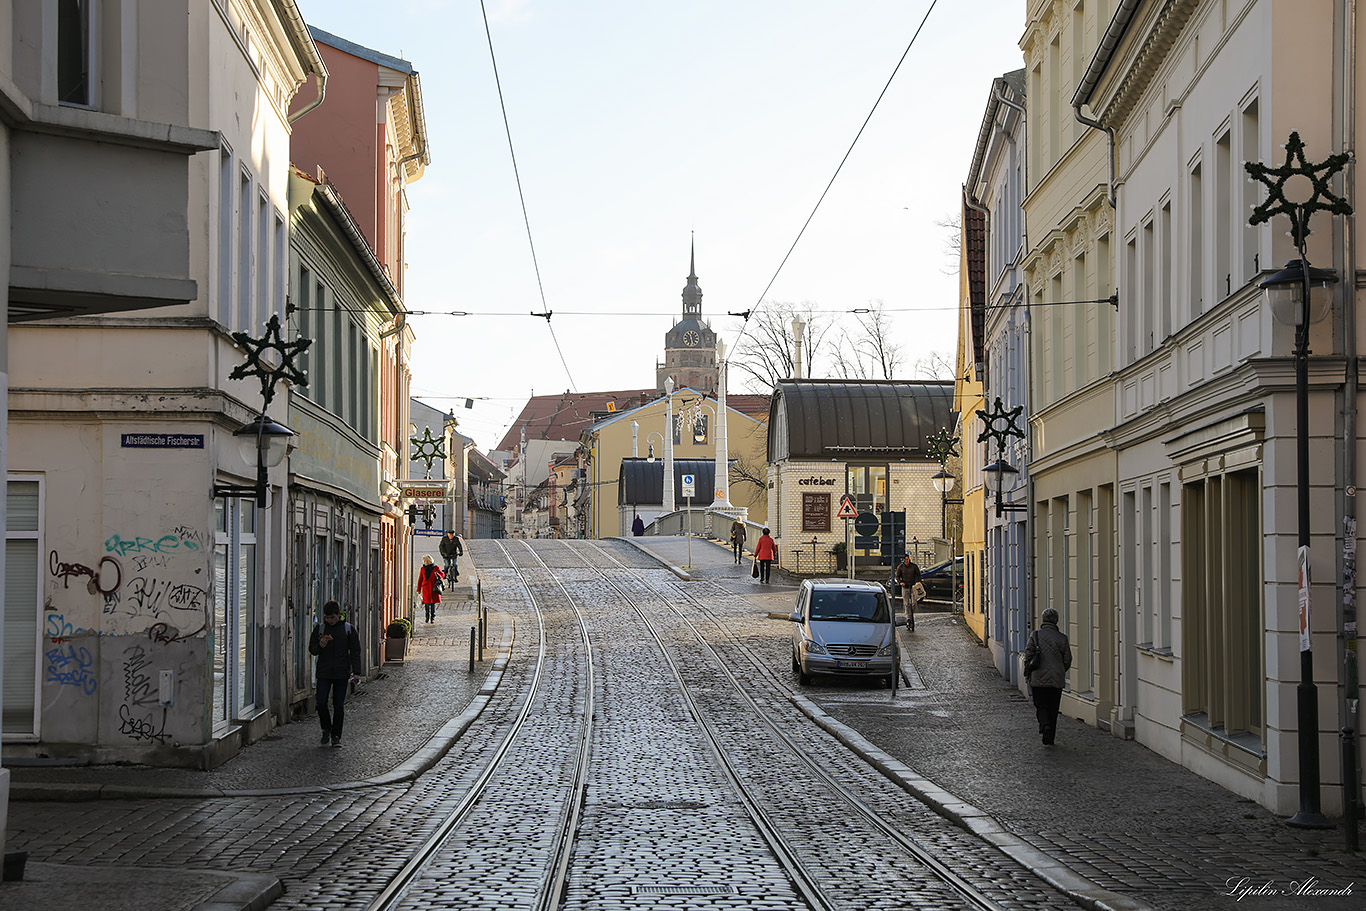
{"x": 1107, "y": 820}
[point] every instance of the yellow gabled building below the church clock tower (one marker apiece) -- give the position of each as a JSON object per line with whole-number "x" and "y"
{"x": 640, "y": 432}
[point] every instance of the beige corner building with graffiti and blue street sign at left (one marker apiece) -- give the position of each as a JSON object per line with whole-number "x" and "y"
{"x": 159, "y": 606}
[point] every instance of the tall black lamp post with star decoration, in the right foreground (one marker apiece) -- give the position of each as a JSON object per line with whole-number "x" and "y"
{"x": 1300, "y": 296}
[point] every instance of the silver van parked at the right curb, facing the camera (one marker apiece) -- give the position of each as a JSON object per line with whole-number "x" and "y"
{"x": 844, "y": 628}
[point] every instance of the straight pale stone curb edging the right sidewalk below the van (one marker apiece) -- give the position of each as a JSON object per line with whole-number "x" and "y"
{"x": 971, "y": 819}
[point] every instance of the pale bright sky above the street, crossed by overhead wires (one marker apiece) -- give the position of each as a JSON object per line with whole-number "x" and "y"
{"x": 643, "y": 126}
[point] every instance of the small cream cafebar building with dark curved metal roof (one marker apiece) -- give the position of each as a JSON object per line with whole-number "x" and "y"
{"x": 865, "y": 439}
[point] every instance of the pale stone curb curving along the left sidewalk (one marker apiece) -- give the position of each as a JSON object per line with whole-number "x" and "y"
{"x": 421, "y": 761}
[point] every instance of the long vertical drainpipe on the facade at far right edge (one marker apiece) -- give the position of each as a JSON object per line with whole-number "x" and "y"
{"x": 1348, "y": 252}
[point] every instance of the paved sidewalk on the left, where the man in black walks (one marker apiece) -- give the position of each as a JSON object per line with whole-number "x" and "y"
{"x": 397, "y": 727}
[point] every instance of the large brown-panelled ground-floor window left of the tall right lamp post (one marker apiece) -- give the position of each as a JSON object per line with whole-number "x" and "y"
{"x": 1222, "y": 602}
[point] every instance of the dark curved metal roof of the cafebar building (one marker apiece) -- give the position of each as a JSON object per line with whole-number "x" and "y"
{"x": 857, "y": 420}
